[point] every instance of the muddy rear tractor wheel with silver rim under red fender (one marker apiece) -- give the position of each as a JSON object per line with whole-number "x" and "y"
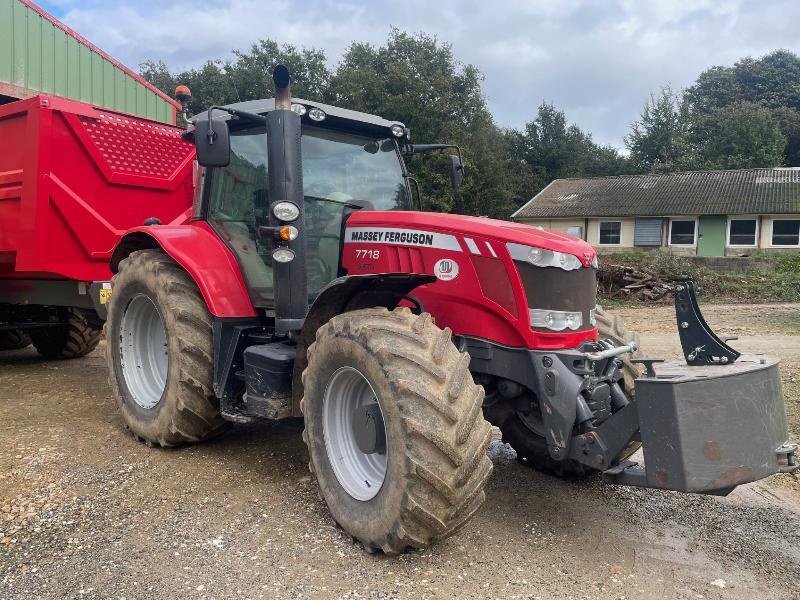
{"x": 159, "y": 352}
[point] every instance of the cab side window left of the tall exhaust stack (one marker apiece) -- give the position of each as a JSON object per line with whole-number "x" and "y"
{"x": 238, "y": 204}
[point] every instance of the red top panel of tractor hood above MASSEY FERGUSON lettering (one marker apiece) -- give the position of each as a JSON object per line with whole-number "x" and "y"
{"x": 480, "y": 227}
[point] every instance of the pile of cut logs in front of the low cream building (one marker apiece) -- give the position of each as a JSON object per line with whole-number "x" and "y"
{"x": 635, "y": 284}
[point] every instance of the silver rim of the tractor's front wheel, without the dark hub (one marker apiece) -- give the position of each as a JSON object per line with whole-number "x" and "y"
{"x": 360, "y": 474}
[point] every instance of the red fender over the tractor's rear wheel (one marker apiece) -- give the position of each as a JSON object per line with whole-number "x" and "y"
{"x": 200, "y": 252}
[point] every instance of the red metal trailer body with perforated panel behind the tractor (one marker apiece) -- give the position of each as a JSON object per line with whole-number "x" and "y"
{"x": 74, "y": 178}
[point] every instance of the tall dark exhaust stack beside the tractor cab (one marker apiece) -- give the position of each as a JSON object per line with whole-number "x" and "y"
{"x": 285, "y": 184}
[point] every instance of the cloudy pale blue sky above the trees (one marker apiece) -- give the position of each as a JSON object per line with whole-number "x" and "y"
{"x": 597, "y": 60}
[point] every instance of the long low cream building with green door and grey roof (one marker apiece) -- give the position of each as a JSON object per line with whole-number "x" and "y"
{"x": 704, "y": 213}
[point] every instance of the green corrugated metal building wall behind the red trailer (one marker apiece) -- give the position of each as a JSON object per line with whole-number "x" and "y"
{"x": 39, "y": 54}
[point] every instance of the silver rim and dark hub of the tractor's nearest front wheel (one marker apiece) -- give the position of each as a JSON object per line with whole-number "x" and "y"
{"x": 348, "y": 403}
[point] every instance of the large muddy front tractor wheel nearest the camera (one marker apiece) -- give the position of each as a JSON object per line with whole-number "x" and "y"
{"x": 428, "y": 480}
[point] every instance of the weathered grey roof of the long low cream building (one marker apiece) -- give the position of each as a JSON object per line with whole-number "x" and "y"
{"x": 744, "y": 191}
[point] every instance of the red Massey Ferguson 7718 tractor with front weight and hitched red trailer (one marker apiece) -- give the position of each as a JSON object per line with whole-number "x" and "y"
{"x": 284, "y": 274}
